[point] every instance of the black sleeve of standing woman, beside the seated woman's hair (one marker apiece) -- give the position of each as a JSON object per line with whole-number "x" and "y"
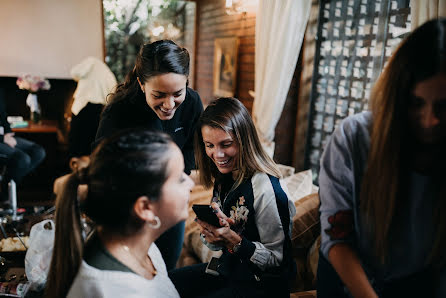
{"x": 188, "y": 149}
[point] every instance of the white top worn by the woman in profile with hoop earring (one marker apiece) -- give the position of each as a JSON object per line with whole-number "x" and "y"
{"x": 92, "y": 282}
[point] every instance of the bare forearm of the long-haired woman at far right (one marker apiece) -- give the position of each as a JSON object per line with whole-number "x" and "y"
{"x": 346, "y": 263}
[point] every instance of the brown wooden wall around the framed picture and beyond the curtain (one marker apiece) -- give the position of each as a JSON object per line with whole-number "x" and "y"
{"x": 213, "y": 22}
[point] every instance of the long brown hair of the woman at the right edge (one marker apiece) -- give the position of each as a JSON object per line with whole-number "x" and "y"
{"x": 384, "y": 186}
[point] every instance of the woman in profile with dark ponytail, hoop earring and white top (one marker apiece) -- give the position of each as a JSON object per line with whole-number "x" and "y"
{"x": 136, "y": 190}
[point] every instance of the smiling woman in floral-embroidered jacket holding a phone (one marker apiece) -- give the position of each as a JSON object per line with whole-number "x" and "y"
{"x": 253, "y": 208}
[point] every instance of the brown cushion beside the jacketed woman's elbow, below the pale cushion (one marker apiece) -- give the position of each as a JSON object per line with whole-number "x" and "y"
{"x": 306, "y": 223}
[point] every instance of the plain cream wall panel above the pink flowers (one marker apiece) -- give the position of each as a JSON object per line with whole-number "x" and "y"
{"x": 48, "y": 37}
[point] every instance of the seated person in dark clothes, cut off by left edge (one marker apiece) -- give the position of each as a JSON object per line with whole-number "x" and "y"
{"x": 22, "y": 156}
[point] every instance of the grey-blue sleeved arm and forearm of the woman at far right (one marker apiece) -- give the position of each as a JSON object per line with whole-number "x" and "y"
{"x": 337, "y": 192}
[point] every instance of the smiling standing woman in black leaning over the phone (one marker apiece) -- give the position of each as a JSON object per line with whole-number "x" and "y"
{"x": 155, "y": 96}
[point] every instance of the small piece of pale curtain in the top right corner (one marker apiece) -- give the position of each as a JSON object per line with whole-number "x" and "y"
{"x": 424, "y": 10}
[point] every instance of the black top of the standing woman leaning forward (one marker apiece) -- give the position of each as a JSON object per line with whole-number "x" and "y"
{"x": 135, "y": 113}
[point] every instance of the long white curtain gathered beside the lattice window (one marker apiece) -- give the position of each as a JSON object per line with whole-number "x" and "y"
{"x": 280, "y": 28}
